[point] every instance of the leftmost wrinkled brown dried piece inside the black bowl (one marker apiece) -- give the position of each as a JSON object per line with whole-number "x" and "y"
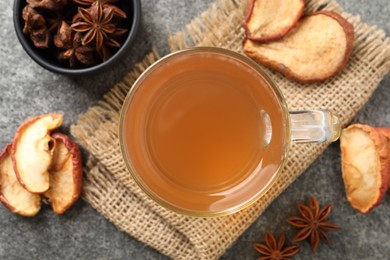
{"x": 35, "y": 26}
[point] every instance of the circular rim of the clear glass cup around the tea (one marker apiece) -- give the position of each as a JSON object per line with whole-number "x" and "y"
{"x": 137, "y": 85}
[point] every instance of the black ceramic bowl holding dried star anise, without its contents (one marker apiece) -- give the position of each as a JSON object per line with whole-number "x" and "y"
{"x": 47, "y": 58}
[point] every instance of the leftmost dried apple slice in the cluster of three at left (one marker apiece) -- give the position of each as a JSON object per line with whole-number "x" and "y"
{"x": 12, "y": 194}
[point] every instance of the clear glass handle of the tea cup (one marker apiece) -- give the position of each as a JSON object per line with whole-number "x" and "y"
{"x": 314, "y": 126}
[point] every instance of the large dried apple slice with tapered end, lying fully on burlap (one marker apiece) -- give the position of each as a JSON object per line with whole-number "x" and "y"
{"x": 315, "y": 50}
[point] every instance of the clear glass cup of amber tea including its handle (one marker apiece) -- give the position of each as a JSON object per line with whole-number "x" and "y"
{"x": 205, "y": 132}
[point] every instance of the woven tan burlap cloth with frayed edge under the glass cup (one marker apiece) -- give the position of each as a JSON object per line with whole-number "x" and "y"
{"x": 110, "y": 189}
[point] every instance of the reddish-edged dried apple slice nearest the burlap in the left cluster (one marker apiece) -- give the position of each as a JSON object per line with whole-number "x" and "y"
{"x": 66, "y": 174}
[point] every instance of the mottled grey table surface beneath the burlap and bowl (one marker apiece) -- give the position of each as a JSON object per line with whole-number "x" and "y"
{"x": 26, "y": 90}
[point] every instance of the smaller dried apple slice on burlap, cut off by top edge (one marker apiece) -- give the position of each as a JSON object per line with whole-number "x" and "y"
{"x": 271, "y": 20}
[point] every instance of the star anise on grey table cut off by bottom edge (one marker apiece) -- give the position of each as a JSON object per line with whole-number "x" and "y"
{"x": 275, "y": 250}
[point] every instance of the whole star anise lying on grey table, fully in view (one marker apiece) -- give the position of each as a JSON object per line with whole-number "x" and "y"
{"x": 313, "y": 223}
